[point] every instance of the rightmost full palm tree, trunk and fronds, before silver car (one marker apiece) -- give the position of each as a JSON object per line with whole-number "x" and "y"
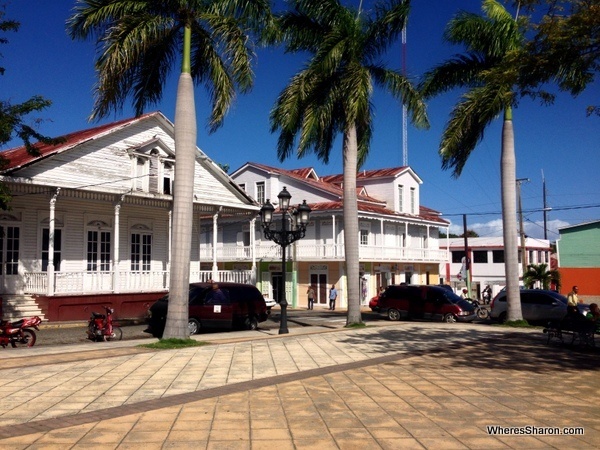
{"x": 487, "y": 69}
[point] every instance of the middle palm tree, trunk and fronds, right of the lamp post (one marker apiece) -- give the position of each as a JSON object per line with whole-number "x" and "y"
{"x": 332, "y": 95}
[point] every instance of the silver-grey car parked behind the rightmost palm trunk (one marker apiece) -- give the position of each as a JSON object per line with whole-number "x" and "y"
{"x": 537, "y": 305}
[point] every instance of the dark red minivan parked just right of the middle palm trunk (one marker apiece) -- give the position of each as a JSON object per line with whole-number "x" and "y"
{"x": 424, "y": 302}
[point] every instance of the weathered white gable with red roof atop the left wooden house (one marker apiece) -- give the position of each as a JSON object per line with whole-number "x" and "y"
{"x": 132, "y": 156}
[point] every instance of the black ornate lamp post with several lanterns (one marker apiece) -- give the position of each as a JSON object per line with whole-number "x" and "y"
{"x": 284, "y": 237}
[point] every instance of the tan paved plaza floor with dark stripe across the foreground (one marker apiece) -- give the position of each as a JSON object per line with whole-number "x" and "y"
{"x": 404, "y": 385}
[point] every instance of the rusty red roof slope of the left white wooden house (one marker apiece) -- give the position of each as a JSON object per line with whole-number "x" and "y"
{"x": 19, "y": 157}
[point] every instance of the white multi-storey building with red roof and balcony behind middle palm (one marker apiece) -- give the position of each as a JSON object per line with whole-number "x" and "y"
{"x": 399, "y": 238}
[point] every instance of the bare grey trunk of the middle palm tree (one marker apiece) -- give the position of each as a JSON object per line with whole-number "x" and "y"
{"x": 350, "y": 151}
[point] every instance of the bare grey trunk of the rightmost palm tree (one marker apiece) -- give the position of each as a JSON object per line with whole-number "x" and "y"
{"x": 509, "y": 218}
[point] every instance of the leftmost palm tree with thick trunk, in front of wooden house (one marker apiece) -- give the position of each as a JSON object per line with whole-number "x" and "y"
{"x": 140, "y": 41}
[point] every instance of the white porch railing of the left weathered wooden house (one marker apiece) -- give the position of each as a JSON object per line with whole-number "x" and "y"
{"x": 103, "y": 282}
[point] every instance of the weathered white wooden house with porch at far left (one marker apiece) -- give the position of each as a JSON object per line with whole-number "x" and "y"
{"x": 90, "y": 220}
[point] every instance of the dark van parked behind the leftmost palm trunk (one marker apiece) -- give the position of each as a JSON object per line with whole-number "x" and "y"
{"x": 226, "y": 306}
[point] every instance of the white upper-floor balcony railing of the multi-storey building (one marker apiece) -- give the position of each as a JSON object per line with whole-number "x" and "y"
{"x": 305, "y": 251}
